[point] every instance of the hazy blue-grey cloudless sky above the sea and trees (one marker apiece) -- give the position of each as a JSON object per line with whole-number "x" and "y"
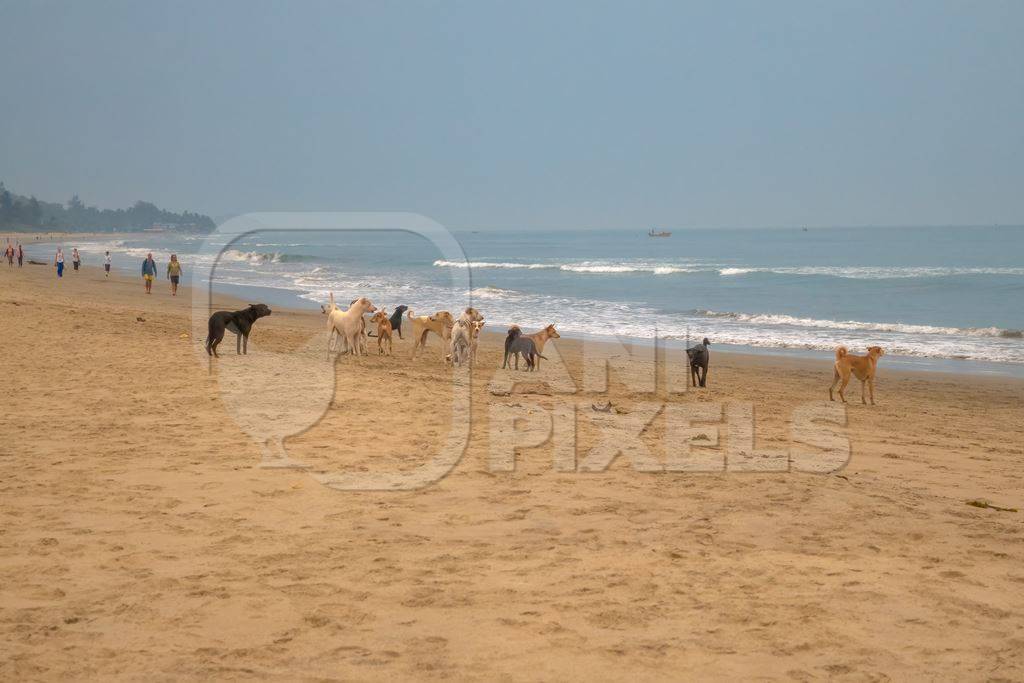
{"x": 525, "y": 114}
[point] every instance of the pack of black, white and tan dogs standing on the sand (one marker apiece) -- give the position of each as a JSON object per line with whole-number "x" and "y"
{"x": 460, "y": 336}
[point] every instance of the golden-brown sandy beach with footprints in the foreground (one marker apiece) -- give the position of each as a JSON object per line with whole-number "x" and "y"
{"x": 140, "y": 537}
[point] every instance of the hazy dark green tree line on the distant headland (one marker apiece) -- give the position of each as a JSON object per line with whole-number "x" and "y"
{"x": 19, "y": 212}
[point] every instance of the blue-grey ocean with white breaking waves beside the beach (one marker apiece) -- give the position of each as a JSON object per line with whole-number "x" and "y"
{"x": 935, "y": 298}
